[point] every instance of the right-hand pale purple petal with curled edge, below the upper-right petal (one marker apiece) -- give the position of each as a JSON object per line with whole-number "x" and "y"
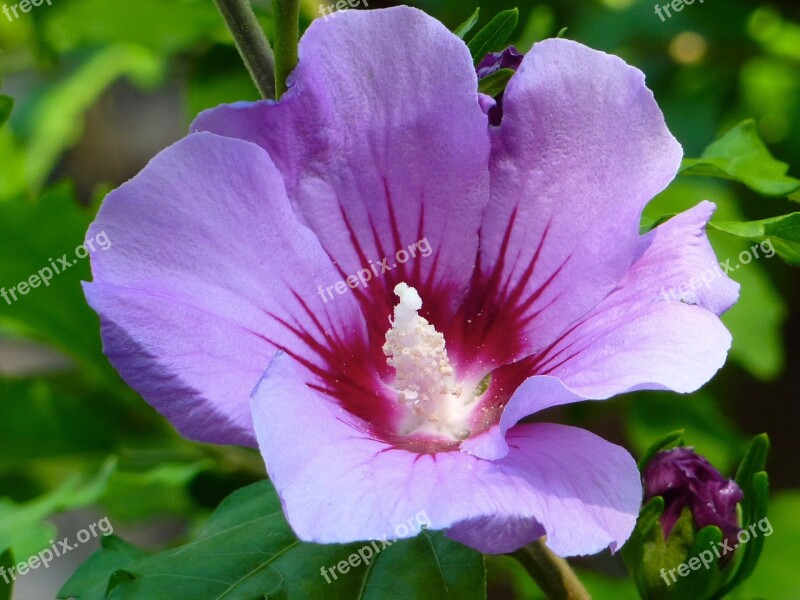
{"x": 634, "y": 339}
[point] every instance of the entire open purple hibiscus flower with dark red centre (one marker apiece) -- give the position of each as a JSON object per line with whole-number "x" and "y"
{"x": 405, "y": 393}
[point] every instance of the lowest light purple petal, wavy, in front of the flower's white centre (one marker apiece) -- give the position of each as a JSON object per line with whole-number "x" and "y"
{"x": 343, "y": 485}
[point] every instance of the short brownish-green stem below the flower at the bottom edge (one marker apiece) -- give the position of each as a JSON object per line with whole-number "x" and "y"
{"x": 551, "y": 573}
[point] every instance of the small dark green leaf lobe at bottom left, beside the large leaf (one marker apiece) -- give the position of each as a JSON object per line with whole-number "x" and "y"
{"x": 90, "y": 581}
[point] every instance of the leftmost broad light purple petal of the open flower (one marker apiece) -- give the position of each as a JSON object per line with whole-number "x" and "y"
{"x": 208, "y": 273}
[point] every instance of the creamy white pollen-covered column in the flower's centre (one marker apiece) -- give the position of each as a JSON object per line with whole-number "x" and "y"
{"x": 425, "y": 380}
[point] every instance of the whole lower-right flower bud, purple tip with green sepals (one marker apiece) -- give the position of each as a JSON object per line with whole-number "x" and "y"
{"x": 699, "y": 534}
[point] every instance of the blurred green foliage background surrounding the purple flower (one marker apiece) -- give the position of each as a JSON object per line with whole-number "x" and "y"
{"x": 100, "y": 86}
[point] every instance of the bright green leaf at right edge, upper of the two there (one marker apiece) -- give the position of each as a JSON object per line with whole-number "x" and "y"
{"x": 740, "y": 155}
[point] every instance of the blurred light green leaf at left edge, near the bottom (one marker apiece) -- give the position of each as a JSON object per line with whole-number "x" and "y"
{"x": 21, "y": 525}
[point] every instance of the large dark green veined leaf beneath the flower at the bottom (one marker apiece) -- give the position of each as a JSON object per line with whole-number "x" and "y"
{"x": 248, "y": 550}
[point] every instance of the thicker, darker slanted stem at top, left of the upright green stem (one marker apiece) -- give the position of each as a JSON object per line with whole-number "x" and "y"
{"x": 251, "y": 43}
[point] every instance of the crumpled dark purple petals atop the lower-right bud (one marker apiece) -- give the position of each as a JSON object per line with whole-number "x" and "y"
{"x": 684, "y": 478}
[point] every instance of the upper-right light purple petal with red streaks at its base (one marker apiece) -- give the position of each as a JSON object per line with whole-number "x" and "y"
{"x": 581, "y": 149}
